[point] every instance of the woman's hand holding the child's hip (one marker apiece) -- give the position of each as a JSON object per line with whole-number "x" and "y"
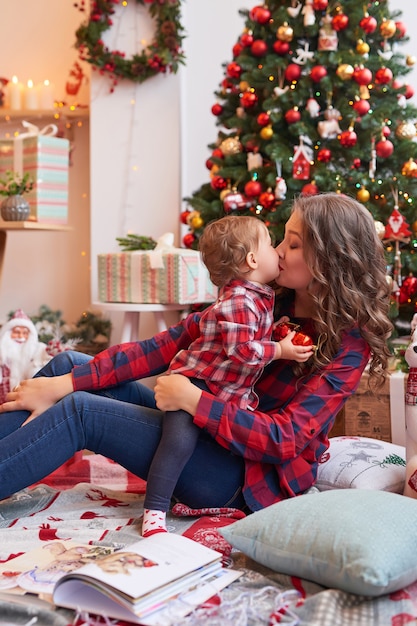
{"x": 175, "y": 392}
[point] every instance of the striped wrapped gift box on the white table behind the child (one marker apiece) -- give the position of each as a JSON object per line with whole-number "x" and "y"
{"x": 167, "y": 277}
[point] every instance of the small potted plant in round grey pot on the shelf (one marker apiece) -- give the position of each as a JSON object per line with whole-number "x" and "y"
{"x": 14, "y": 207}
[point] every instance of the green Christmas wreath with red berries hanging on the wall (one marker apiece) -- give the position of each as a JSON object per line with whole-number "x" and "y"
{"x": 163, "y": 53}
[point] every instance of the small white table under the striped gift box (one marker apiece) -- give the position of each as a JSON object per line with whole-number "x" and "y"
{"x": 132, "y": 311}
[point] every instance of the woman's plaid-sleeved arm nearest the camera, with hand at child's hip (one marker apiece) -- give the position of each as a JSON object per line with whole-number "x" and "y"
{"x": 287, "y": 429}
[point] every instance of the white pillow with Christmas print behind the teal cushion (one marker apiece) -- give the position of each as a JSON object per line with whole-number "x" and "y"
{"x": 362, "y": 463}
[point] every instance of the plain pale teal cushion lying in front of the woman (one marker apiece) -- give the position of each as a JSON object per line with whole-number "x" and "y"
{"x": 357, "y": 540}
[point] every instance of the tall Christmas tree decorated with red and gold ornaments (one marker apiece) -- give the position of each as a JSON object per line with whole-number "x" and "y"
{"x": 314, "y": 99}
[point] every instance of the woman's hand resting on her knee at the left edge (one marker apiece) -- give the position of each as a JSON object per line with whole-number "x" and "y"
{"x": 37, "y": 394}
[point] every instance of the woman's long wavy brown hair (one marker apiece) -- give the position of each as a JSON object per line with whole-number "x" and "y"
{"x": 349, "y": 284}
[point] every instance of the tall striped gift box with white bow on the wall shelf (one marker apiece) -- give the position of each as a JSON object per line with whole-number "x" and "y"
{"x": 46, "y": 158}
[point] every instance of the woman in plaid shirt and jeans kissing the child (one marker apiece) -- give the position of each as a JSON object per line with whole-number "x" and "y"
{"x": 331, "y": 282}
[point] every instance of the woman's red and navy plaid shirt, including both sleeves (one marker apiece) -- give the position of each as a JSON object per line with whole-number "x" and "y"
{"x": 283, "y": 439}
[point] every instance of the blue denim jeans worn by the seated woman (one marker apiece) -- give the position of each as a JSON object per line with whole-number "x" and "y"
{"x": 121, "y": 423}
